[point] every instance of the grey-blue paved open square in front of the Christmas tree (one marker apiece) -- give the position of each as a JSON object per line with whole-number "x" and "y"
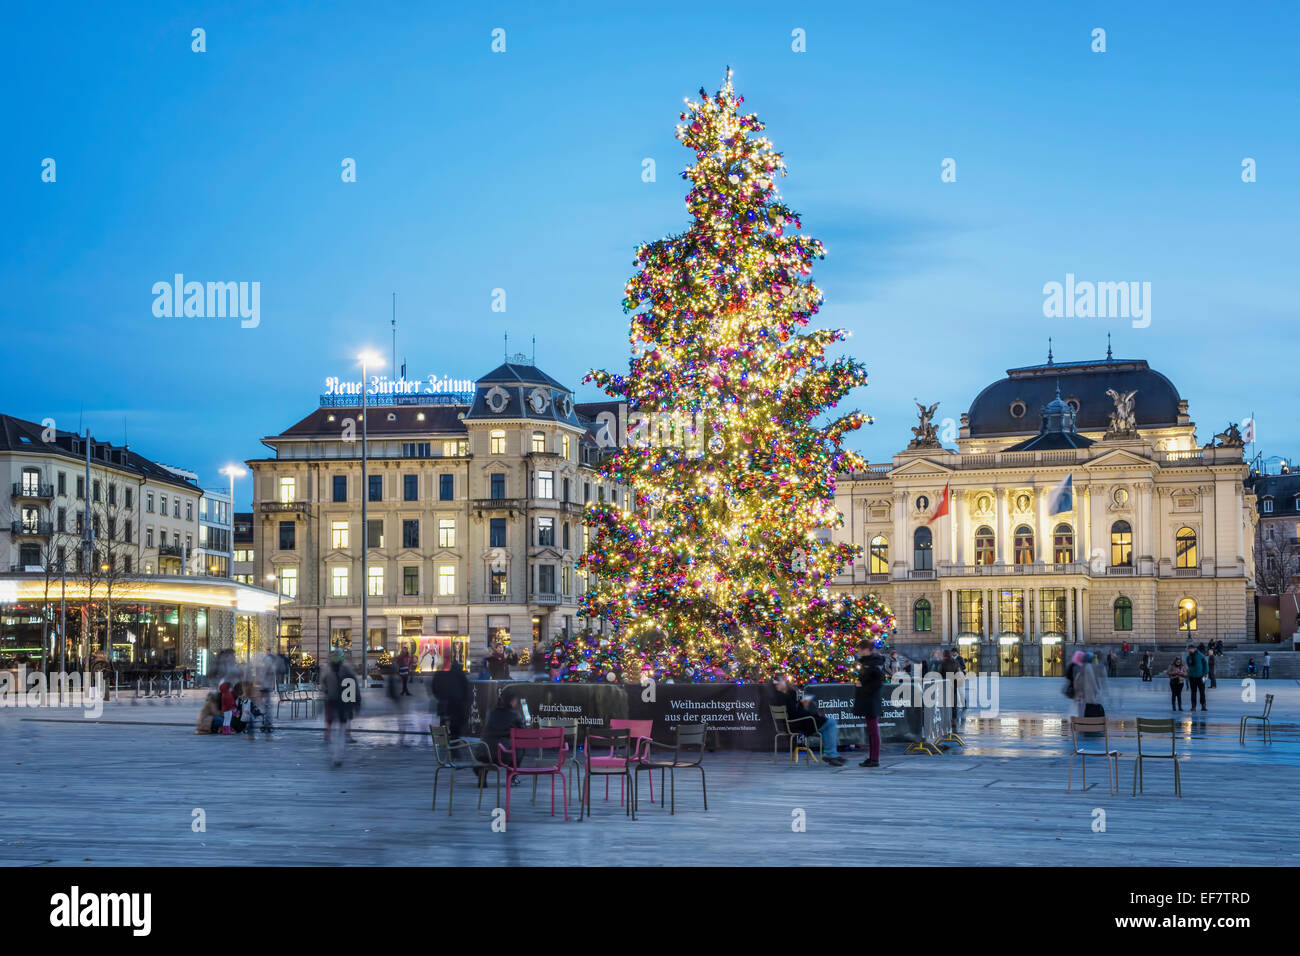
{"x": 125, "y": 791}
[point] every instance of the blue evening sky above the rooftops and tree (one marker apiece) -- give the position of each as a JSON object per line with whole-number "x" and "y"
{"x": 522, "y": 171}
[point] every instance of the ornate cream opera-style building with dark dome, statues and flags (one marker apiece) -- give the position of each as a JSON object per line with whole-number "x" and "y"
{"x": 1081, "y": 509}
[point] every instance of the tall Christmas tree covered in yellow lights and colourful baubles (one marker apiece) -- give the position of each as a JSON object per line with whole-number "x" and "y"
{"x": 721, "y": 565}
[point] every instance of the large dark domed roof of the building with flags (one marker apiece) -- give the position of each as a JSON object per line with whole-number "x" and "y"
{"x": 1007, "y": 406}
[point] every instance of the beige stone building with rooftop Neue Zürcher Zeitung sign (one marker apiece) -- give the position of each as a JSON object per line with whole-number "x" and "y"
{"x": 474, "y": 514}
